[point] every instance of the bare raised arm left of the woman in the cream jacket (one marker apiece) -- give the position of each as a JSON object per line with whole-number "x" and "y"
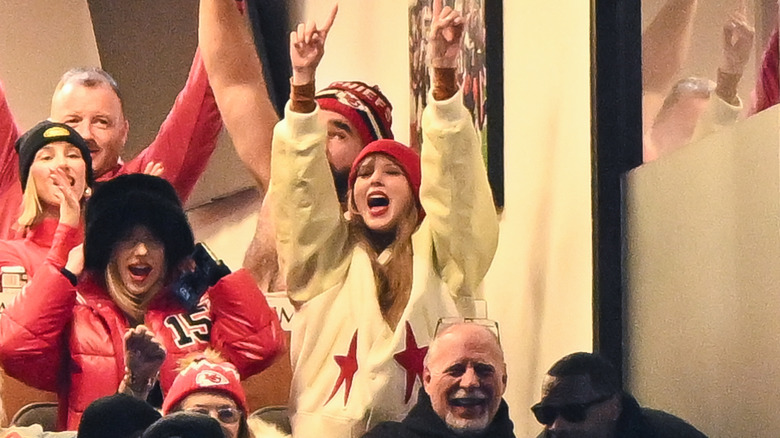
{"x": 236, "y": 76}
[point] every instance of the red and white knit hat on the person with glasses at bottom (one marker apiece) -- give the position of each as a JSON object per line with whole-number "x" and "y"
{"x": 203, "y": 375}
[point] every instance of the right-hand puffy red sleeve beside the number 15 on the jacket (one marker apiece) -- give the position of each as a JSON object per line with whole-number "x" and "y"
{"x": 245, "y": 328}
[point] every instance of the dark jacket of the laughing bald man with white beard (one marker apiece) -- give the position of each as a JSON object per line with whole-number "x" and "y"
{"x": 423, "y": 422}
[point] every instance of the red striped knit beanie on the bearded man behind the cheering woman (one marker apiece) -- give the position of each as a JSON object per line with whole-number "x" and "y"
{"x": 364, "y": 106}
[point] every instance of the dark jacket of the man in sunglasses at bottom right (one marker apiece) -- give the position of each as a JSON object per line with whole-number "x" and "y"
{"x": 638, "y": 422}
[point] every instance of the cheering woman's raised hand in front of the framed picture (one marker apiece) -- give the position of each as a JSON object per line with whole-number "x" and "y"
{"x": 446, "y": 37}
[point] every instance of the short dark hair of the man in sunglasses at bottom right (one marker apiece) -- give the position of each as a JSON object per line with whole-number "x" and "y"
{"x": 603, "y": 376}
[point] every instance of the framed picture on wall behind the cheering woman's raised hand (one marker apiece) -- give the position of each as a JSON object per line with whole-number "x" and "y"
{"x": 481, "y": 73}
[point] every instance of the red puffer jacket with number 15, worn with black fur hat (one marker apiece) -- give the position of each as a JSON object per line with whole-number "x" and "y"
{"x": 57, "y": 339}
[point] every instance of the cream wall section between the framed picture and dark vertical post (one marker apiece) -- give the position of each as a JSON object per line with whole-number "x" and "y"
{"x": 539, "y": 286}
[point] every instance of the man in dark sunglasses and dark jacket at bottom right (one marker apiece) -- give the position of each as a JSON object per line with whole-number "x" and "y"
{"x": 581, "y": 398}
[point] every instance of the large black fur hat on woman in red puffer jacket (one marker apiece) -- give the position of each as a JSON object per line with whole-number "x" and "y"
{"x": 118, "y": 205}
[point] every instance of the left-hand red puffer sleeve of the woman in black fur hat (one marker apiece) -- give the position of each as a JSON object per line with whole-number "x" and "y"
{"x": 32, "y": 329}
